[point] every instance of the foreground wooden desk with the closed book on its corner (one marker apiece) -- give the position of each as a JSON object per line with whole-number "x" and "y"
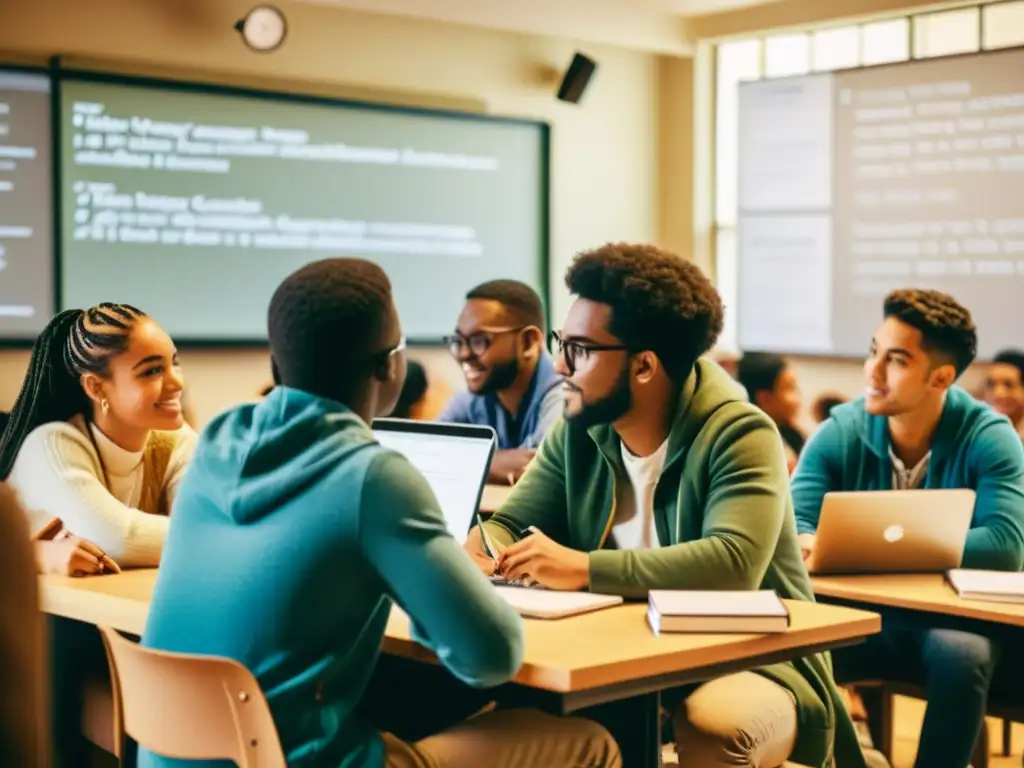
{"x": 571, "y": 664}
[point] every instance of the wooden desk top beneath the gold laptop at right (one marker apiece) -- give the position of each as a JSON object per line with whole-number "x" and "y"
{"x": 925, "y": 592}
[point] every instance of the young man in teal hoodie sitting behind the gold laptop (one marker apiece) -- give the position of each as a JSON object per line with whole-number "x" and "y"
{"x": 914, "y": 429}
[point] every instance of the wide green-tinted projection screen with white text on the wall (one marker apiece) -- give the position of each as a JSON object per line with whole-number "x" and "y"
{"x": 231, "y": 187}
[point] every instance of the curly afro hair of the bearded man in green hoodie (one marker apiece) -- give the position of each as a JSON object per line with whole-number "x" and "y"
{"x": 659, "y": 302}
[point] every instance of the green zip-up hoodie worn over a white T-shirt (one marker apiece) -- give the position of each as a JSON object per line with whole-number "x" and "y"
{"x": 724, "y": 521}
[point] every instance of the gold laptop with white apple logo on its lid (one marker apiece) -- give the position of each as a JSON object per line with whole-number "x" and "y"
{"x": 887, "y": 532}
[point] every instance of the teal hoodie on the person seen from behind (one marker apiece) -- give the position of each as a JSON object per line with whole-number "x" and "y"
{"x": 292, "y": 534}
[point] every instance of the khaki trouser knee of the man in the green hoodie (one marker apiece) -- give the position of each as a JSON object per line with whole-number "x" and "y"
{"x": 739, "y": 720}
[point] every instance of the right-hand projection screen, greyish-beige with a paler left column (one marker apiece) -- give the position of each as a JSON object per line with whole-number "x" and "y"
{"x": 926, "y": 163}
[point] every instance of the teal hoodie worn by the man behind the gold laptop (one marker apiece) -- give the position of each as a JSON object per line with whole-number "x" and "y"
{"x": 973, "y": 448}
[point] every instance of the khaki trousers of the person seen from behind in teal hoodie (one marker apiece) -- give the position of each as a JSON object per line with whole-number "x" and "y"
{"x": 510, "y": 739}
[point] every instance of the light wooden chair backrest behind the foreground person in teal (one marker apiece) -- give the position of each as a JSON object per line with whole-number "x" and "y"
{"x": 191, "y": 707}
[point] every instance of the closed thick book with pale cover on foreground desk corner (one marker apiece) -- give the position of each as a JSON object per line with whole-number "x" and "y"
{"x": 717, "y": 612}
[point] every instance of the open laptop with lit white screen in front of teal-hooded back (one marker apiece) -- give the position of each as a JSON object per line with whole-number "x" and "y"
{"x": 453, "y": 458}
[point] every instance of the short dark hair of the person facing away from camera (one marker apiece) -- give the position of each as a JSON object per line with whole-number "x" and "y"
{"x": 325, "y": 325}
